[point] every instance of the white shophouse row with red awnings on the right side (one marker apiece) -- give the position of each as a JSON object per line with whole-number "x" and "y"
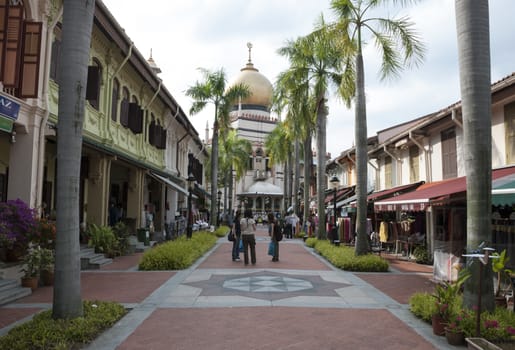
{"x": 420, "y": 185}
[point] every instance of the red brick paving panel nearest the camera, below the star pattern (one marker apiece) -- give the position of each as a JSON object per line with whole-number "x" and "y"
{"x": 273, "y": 328}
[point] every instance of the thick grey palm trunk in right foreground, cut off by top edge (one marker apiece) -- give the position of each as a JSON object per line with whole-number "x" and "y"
{"x": 474, "y": 62}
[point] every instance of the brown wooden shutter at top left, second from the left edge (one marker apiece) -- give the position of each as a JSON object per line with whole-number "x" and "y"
{"x": 30, "y": 60}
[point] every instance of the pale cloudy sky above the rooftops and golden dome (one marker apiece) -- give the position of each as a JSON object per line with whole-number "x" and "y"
{"x": 212, "y": 34}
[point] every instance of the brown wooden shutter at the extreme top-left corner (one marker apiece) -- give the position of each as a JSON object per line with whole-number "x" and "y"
{"x": 11, "y": 49}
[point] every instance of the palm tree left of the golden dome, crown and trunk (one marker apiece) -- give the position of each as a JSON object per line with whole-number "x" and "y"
{"x": 214, "y": 90}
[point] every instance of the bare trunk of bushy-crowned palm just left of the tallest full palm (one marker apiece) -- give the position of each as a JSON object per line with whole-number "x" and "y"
{"x": 321, "y": 177}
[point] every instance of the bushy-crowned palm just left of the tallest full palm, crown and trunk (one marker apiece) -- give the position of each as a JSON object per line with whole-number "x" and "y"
{"x": 317, "y": 58}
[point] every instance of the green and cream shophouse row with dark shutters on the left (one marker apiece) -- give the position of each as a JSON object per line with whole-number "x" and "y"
{"x": 137, "y": 141}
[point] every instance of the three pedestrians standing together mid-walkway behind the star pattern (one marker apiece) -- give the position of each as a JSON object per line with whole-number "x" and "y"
{"x": 244, "y": 229}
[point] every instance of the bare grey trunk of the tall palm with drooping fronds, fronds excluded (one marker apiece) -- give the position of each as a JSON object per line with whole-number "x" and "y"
{"x": 362, "y": 246}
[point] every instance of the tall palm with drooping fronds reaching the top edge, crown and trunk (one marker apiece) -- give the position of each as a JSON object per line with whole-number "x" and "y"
{"x": 399, "y": 46}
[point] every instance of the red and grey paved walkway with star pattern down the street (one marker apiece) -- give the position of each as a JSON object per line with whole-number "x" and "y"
{"x": 300, "y": 302}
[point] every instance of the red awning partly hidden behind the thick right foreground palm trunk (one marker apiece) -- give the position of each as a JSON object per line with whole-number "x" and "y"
{"x": 420, "y": 198}
